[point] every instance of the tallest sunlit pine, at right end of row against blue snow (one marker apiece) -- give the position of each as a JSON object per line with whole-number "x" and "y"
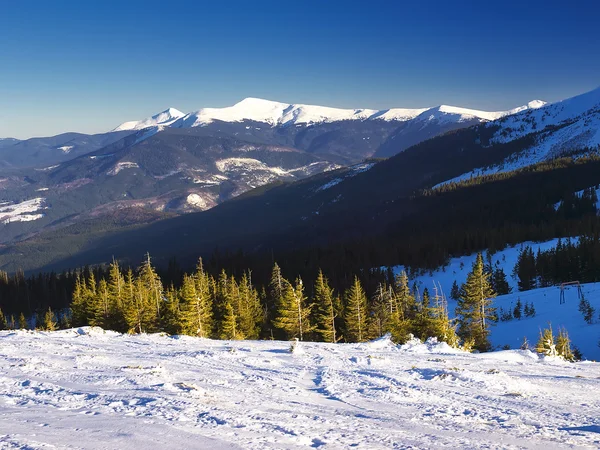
{"x": 475, "y": 307}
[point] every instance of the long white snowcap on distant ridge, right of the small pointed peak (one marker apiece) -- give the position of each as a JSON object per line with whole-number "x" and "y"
{"x": 284, "y": 114}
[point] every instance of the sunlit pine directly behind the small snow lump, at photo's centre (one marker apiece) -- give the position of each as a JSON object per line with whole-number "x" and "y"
{"x": 293, "y": 312}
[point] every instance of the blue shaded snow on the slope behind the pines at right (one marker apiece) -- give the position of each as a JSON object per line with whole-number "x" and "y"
{"x": 546, "y": 302}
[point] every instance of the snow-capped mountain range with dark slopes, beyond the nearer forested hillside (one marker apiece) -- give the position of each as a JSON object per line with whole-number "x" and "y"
{"x": 173, "y": 163}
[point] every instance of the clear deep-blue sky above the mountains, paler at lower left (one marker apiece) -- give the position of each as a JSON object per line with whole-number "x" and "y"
{"x": 89, "y": 65}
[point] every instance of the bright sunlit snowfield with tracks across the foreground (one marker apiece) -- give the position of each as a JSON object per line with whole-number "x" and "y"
{"x": 87, "y": 388}
